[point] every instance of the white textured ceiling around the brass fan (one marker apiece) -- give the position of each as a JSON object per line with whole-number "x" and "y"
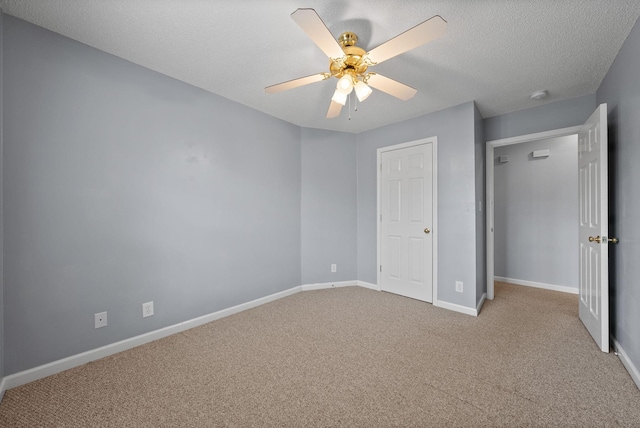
{"x": 495, "y": 52}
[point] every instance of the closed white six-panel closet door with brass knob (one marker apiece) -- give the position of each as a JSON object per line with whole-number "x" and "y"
{"x": 407, "y": 238}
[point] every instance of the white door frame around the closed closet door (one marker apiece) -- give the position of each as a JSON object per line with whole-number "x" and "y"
{"x": 434, "y": 228}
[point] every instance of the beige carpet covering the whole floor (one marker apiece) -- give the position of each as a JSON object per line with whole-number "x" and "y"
{"x": 351, "y": 357}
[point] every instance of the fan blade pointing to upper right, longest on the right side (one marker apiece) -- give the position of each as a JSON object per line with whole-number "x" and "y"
{"x": 429, "y": 30}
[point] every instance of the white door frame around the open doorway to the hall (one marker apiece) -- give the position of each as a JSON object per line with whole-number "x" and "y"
{"x": 491, "y": 145}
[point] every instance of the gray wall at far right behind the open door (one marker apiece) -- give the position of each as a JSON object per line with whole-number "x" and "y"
{"x": 620, "y": 89}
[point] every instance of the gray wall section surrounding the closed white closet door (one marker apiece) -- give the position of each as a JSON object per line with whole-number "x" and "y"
{"x": 454, "y": 128}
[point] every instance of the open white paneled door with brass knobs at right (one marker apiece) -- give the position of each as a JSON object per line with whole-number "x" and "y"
{"x": 593, "y": 235}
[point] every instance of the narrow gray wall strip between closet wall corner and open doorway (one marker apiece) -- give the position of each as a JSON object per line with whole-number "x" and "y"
{"x": 481, "y": 245}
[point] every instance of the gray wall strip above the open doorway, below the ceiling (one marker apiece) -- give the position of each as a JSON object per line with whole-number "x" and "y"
{"x": 554, "y": 115}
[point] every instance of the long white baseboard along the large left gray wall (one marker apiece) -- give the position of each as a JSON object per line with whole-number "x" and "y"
{"x": 54, "y": 367}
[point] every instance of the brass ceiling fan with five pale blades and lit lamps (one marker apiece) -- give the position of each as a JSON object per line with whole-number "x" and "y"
{"x": 350, "y": 63}
